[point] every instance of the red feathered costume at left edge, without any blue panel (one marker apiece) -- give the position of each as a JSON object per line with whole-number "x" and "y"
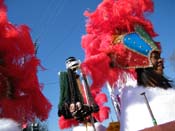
{"x": 21, "y": 98}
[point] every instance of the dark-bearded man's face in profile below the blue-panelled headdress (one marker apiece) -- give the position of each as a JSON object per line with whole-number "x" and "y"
{"x": 157, "y": 62}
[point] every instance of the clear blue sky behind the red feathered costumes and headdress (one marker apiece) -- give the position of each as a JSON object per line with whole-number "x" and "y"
{"x": 58, "y": 25}
